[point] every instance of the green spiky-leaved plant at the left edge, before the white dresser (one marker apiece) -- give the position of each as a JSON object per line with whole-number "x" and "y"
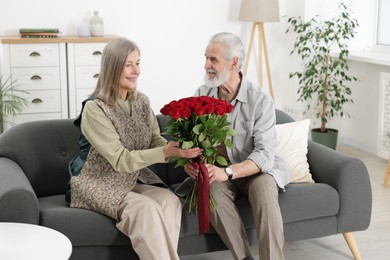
{"x": 10, "y": 102}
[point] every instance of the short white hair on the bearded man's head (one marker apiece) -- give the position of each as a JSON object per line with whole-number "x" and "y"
{"x": 233, "y": 45}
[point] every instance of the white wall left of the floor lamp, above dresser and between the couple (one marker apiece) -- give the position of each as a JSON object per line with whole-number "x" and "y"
{"x": 171, "y": 34}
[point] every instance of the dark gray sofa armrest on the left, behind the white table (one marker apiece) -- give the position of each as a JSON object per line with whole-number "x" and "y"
{"x": 18, "y": 202}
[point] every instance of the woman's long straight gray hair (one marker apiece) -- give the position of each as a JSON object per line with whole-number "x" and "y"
{"x": 113, "y": 60}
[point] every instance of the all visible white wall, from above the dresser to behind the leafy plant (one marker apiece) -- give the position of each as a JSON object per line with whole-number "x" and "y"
{"x": 172, "y": 36}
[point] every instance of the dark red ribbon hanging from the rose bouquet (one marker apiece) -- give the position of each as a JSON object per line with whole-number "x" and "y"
{"x": 203, "y": 196}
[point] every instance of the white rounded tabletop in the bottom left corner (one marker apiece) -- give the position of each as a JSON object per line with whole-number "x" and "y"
{"x": 20, "y": 241}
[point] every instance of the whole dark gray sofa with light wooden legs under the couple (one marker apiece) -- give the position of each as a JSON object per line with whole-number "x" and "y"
{"x": 34, "y": 158}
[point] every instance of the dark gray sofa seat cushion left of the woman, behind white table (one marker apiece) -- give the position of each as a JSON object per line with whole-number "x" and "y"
{"x": 82, "y": 227}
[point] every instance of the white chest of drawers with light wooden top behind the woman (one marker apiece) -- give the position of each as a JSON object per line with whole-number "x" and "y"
{"x": 58, "y": 73}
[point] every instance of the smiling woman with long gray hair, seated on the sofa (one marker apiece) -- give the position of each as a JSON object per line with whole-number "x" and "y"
{"x": 119, "y": 138}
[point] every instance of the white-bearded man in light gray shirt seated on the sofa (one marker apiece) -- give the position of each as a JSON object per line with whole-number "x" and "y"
{"x": 255, "y": 170}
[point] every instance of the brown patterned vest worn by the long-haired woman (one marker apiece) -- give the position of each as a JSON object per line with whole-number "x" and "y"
{"x": 99, "y": 187}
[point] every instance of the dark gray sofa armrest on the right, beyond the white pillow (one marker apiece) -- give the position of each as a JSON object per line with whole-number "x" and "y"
{"x": 349, "y": 176}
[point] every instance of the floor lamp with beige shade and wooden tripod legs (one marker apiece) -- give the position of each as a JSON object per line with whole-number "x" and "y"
{"x": 258, "y": 12}
